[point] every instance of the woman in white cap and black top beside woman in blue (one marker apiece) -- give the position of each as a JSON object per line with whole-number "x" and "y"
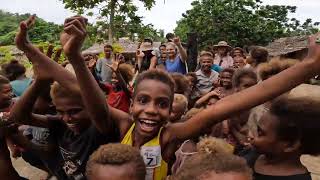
{"x": 146, "y": 56}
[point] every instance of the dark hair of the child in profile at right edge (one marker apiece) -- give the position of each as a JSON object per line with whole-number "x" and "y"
{"x": 298, "y": 121}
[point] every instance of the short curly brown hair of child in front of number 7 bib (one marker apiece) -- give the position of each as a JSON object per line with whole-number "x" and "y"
{"x": 118, "y": 154}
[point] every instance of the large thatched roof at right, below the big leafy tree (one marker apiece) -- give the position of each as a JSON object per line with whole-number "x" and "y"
{"x": 287, "y": 45}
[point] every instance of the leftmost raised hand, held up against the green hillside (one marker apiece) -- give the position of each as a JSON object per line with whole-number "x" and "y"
{"x": 21, "y": 39}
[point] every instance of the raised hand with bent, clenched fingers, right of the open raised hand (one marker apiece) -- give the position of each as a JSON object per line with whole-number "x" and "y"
{"x": 73, "y": 35}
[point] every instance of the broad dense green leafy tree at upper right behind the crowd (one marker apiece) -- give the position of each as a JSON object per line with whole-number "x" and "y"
{"x": 240, "y": 22}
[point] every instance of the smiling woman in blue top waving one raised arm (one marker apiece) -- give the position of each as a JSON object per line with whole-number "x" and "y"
{"x": 177, "y": 57}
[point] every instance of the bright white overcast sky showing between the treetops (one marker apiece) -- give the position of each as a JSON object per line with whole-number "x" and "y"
{"x": 163, "y": 15}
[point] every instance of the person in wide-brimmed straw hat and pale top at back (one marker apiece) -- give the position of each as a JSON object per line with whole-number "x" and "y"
{"x": 222, "y": 58}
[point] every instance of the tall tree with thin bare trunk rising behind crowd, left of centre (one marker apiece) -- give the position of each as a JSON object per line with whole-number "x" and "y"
{"x": 109, "y": 9}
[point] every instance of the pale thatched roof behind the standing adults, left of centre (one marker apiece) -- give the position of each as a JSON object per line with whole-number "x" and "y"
{"x": 127, "y": 45}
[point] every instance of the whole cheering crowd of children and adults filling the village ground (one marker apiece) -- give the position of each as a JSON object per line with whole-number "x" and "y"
{"x": 236, "y": 117}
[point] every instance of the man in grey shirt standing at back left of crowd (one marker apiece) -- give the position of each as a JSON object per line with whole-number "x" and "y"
{"x": 104, "y": 72}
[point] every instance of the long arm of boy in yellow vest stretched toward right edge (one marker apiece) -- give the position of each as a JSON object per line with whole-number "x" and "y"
{"x": 250, "y": 97}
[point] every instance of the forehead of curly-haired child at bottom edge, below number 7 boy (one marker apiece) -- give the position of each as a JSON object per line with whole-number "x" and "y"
{"x": 112, "y": 172}
